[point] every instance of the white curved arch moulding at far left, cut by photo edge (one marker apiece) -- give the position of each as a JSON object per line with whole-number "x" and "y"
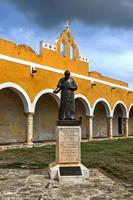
{"x": 21, "y": 92}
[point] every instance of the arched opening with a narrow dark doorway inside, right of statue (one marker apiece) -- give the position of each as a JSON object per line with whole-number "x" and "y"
{"x": 119, "y": 113}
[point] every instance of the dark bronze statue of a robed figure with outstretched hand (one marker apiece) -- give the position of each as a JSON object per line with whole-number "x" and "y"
{"x": 67, "y": 105}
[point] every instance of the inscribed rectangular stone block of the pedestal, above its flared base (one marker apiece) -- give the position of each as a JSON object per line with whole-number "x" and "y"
{"x": 68, "y": 145}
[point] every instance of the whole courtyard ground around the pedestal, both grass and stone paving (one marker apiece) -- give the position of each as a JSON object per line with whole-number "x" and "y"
{"x": 24, "y": 172}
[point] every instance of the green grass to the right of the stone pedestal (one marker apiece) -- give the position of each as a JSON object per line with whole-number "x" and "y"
{"x": 113, "y": 157}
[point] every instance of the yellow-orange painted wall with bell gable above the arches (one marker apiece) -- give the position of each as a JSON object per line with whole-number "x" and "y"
{"x": 20, "y": 74}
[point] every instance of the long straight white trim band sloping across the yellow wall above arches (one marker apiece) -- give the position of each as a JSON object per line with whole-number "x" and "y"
{"x": 56, "y": 70}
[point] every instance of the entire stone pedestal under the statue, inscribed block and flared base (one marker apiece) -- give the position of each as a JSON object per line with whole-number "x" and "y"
{"x": 67, "y": 166}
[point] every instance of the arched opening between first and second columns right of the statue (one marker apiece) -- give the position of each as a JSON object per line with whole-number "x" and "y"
{"x": 101, "y": 111}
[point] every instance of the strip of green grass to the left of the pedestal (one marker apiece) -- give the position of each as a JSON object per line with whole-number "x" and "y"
{"x": 36, "y": 157}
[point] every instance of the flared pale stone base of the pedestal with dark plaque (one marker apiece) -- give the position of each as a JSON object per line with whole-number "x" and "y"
{"x": 55, "y": 172}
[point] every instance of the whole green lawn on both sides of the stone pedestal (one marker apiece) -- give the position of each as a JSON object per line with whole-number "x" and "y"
{"x": 115, "y": 157}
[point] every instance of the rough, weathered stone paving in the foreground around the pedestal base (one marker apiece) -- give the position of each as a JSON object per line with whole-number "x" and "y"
{"x": 25, "y": 184}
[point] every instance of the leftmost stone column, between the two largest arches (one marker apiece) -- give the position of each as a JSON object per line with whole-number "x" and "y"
{"x": 29, "y": 136}
